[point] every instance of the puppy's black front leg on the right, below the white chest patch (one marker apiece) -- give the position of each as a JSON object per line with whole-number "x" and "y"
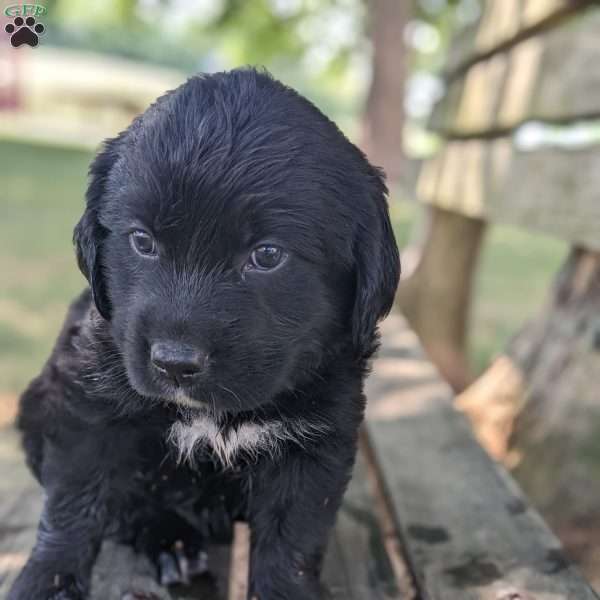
{"x": 292, "y": 510}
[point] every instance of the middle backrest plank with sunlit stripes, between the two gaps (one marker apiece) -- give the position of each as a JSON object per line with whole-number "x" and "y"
{"x": 545, "y": 78}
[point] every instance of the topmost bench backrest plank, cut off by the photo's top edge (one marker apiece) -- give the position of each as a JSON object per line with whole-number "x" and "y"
{"x": 502, "y": 25}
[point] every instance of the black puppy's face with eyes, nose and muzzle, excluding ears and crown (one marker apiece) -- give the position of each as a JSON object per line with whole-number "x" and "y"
{"x": 218, "y": 298}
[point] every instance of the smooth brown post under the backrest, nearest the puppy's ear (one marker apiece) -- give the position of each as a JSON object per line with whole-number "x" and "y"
{"x": 436, "y": 298}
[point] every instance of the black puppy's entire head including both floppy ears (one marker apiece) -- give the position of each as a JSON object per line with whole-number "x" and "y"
{"x": 235, "y": 240}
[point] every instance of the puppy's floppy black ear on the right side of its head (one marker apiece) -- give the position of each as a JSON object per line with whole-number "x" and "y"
{"x": 377, "y": 266}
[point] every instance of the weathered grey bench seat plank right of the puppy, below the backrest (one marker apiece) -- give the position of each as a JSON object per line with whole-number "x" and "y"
{"x": 468, "y": 531}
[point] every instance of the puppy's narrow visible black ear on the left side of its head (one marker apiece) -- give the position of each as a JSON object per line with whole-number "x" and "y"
{"x": 89, "y": 234}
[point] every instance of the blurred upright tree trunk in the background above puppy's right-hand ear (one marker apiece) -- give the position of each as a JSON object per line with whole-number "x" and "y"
{"x": 383, "y": 119}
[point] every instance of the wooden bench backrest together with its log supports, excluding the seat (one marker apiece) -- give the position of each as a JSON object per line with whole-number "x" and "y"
{"x": 518, "y": 145}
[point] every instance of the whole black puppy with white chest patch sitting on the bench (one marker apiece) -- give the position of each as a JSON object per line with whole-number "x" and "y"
{"x": 239, "y": 254}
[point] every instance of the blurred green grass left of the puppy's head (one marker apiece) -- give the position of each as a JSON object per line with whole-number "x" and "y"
{"x": 41, "y": 198}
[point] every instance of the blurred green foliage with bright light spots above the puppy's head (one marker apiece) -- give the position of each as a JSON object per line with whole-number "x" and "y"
{"x": 321, "y": 46}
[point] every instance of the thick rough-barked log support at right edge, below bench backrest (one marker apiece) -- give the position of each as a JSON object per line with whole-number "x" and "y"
{"x": 550, "y": 402}
